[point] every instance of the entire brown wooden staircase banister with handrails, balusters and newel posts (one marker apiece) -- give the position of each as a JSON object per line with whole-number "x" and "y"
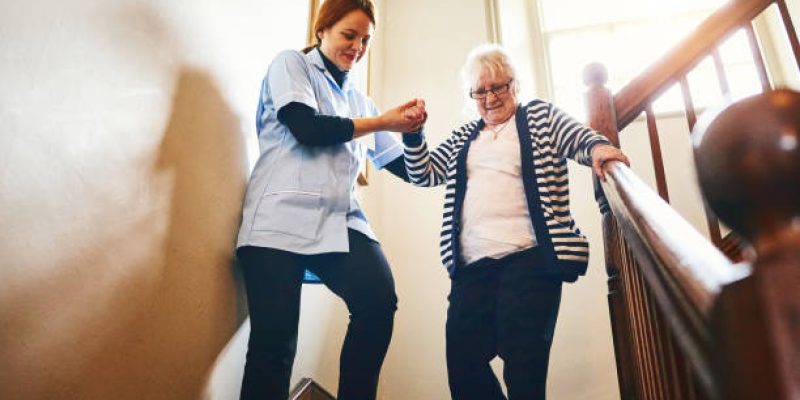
{"x": 688, "y": 321}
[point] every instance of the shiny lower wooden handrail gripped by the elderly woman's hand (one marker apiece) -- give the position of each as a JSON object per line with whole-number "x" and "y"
{"x": 684, "y": 271}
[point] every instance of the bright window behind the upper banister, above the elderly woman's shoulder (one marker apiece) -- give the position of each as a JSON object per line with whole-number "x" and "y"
{"x": 558, "y": 38}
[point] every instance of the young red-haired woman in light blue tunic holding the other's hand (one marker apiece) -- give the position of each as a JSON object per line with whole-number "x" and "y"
{"x": 300, "y": 211}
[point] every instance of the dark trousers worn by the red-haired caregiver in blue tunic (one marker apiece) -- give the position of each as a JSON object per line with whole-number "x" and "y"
{"x": 273, "y": 279}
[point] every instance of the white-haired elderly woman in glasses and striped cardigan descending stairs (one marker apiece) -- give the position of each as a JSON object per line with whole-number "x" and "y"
{"x": 508, "y": 239}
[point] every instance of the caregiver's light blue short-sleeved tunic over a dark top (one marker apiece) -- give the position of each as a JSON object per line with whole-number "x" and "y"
{"x": 301, "y": 198}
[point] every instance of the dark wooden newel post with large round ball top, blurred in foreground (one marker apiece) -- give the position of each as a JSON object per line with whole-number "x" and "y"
{"x": 748, "y": 164}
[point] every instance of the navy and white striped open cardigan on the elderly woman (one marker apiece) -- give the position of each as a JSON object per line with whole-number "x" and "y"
{"x": 547, "y": 137}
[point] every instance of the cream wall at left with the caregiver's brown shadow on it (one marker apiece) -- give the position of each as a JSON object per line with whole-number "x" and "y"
{"x": 124, "y": 135}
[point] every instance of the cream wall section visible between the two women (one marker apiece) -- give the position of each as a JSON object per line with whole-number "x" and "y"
{"x": 419, "y": 56}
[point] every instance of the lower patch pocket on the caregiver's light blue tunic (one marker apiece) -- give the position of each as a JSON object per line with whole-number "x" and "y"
{"x": 293, "y": 212}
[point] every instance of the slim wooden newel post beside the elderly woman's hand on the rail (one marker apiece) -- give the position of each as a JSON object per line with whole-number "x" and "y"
{"x": 601, "y": 117}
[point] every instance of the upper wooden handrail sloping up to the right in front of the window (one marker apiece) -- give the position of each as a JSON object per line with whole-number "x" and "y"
{"x": 631, "y": 100}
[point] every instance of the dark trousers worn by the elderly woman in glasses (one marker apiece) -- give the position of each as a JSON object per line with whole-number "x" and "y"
{"x": 503, "y": 308}
